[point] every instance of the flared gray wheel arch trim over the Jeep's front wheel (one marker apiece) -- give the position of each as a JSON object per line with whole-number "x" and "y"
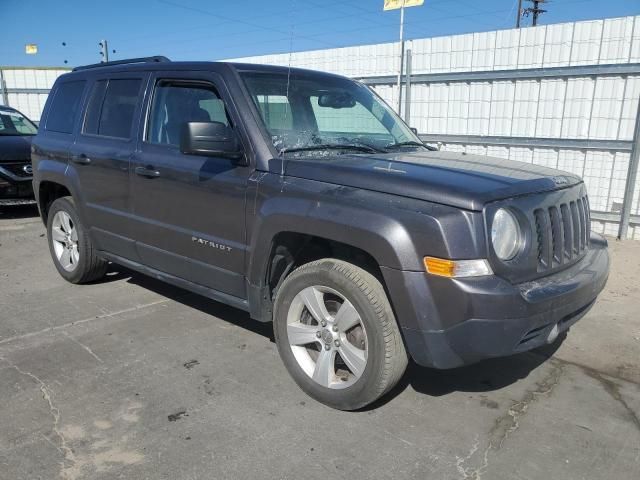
{"x": 368, "y": 241}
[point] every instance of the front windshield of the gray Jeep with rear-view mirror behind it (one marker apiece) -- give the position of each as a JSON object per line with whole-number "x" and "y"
{"x": 307, "y": 112}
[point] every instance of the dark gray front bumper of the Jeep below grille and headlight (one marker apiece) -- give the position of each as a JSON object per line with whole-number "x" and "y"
{"x": 447, "y": 323}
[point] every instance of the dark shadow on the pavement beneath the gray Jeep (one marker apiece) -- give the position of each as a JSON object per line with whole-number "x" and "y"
{"x": 485, "y": 376}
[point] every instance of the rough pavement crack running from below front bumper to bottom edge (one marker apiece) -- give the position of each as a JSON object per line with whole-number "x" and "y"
{"x": 506, "y": 424}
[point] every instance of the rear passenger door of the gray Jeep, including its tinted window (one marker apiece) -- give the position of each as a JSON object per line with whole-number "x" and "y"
{"x": 101, "y": 156}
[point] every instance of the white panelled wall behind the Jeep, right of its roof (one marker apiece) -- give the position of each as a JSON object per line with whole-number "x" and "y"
{"x": 571, "y": 108}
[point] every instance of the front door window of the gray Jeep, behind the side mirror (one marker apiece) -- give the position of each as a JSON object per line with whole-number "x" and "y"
{"x": 175, "y": 104}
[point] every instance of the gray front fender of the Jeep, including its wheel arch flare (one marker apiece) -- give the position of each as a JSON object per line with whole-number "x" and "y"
{"x": 397, "y": 232}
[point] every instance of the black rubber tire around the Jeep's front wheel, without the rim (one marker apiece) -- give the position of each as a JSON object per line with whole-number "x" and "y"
{"x": 387, "y": 358}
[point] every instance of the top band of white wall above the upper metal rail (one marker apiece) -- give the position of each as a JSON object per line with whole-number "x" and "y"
{"x": 614, "y": 40}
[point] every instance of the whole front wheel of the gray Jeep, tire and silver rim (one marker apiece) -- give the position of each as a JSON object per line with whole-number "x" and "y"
{"x": 337, "y": 335}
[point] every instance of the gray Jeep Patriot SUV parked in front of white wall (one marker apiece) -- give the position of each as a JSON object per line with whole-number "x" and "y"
{"x": 303, "y": 199}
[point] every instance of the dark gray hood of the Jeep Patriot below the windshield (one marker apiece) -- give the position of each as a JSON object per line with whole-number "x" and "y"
{"x": 449, "y": 178}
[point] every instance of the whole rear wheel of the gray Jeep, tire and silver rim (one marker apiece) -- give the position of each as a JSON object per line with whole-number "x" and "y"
{"x": 71, "y": 249}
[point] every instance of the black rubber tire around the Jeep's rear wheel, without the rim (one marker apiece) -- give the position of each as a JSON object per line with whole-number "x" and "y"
{"x": 89, "y": 267}
